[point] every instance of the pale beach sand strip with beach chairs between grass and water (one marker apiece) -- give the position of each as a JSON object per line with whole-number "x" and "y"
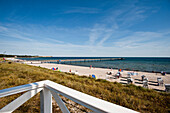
{"x": 102, "y": 72}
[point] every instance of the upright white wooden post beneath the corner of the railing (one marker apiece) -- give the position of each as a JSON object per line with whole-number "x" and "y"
{"x": 45, "y": 101}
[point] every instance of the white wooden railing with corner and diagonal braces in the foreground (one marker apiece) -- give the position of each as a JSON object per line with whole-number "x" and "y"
{"x": 48, "y": 89}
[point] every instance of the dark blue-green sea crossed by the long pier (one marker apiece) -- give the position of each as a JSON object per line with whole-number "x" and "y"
{"x": 145, "y": 64}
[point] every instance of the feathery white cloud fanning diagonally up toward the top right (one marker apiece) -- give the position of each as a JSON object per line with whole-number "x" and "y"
{"x": 118, "y": 20}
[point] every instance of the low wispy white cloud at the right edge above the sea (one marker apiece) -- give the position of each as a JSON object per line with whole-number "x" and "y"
{"x": 139, "y": 39}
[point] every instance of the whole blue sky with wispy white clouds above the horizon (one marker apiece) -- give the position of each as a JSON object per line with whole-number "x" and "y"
{"x": 85, "y": 27}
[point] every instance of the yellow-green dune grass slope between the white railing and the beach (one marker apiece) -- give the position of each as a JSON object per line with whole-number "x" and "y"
{"x": 130, "y": 96}
